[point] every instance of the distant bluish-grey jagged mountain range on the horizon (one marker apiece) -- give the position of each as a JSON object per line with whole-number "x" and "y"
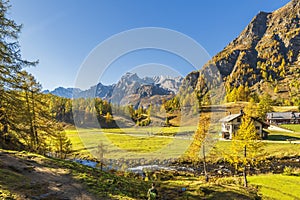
{"x": 129, "y": 88}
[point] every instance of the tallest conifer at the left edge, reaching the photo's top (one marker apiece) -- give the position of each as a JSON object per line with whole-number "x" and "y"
{"x": 11, "y": 66}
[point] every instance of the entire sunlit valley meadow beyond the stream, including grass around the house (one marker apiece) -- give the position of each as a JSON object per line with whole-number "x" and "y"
{"x": 147, "y": 143}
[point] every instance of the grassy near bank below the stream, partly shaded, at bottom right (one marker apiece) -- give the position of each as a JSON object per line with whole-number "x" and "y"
{"x": 266, "y": 187}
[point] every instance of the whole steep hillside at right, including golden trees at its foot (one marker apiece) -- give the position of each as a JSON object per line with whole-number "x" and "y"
{"x": 264, "y": 58}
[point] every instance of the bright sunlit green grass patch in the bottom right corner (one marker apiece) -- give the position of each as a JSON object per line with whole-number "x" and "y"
{"x": 277, "y": 186}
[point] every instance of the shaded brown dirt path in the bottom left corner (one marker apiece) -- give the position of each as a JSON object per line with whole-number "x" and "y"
{"x": 35, "y": 179}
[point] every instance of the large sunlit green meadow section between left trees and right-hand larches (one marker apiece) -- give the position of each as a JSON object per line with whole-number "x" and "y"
{"x": 86, "y": 142}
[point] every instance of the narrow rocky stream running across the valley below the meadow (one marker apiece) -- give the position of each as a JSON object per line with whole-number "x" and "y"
{"x": 272, "y": 165}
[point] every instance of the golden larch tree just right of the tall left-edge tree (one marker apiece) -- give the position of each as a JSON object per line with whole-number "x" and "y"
{"x": 36, "y": 126}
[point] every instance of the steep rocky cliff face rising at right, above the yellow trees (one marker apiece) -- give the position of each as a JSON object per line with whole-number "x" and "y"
{"x": 266, "y": 50}
